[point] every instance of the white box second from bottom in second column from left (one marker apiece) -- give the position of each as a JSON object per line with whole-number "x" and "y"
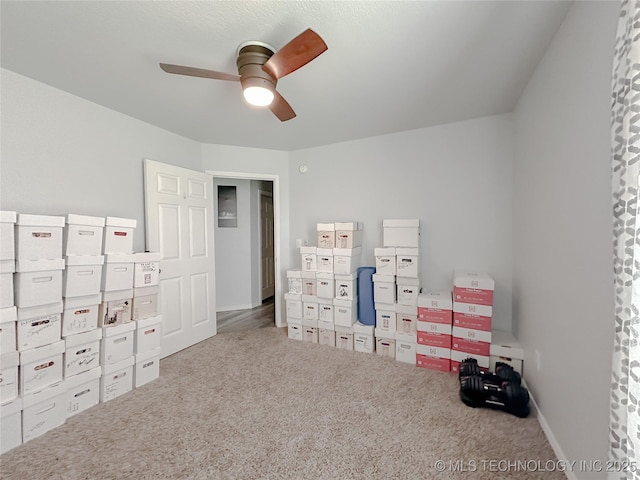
{"x": 41, "y": 367}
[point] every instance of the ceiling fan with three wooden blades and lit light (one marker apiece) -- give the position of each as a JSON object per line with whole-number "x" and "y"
{"x": 260, "y": 67}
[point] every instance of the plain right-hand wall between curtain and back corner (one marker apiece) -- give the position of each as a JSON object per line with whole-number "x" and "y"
{"x": 563, "y": 281}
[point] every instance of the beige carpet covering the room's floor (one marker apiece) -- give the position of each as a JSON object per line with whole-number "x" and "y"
{"x": 256, "y": 405}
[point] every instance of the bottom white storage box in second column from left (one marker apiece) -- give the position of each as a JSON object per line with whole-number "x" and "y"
{"x": 44, "y": 410}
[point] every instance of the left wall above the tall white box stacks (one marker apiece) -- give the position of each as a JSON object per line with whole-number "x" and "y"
{"x": 62, "y": 154}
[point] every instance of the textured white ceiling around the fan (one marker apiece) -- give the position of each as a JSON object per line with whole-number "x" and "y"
{"x": 390, "y": 66}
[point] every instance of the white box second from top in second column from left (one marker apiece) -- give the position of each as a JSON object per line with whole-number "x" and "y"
{"x": 38, "y": 282}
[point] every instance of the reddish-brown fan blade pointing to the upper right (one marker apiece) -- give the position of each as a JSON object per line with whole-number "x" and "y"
{"x": 295, "y": 54}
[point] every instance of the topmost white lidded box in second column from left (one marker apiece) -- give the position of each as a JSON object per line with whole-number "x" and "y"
{"x": 38, "y": 237}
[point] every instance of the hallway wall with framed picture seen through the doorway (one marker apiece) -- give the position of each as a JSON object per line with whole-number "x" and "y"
{"x": 233, "y": 247}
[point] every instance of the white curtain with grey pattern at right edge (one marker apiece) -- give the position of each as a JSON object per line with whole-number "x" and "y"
{"x": 625, "y": 140}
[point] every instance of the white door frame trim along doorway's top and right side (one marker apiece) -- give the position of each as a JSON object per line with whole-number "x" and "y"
{"x": 276, "y": 229}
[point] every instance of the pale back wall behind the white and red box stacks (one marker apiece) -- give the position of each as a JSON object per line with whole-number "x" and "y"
{"x": 455, "y": 178}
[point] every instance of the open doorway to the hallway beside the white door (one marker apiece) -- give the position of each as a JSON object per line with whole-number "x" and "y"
{"x": 246, "y": 251}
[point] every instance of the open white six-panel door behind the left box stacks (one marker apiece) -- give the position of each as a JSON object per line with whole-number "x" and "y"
{"x": 179, "y": 212}
